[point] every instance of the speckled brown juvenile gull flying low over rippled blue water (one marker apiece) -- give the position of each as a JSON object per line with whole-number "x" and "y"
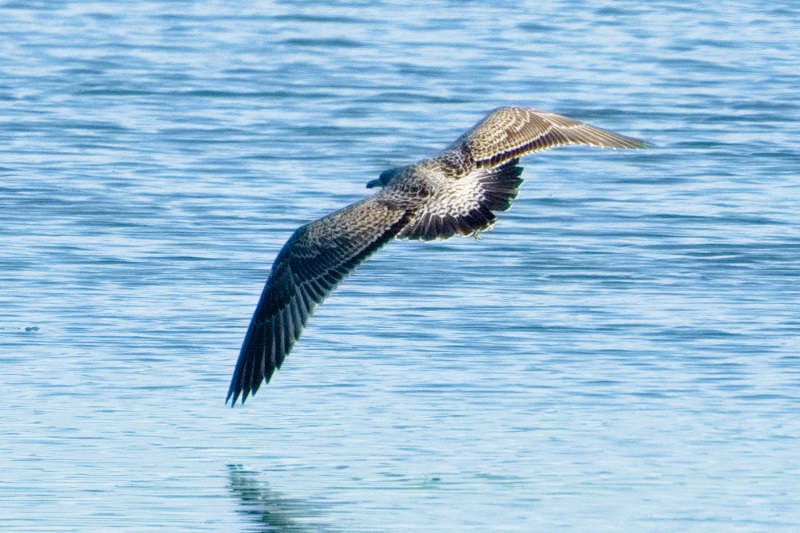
{"x": 454, "y": 192}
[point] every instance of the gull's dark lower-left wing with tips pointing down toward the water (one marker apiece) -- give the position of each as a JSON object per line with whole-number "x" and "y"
{"x": 311, "y": 264}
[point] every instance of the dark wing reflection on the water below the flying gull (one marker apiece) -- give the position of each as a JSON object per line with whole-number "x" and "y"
{"x": 268, "y": 510}
